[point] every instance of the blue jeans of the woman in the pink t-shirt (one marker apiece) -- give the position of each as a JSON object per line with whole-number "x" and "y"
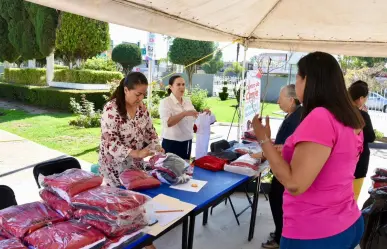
{"x": 348, "y": 239}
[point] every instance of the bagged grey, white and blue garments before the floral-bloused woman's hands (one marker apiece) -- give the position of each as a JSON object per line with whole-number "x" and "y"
{"x": 170, "y": 168}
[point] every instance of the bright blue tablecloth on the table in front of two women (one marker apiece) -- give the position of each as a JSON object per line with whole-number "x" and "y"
{"x": 218, "y": 183}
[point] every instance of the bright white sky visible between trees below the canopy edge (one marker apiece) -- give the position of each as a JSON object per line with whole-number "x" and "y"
{"x": 120, "y": 34}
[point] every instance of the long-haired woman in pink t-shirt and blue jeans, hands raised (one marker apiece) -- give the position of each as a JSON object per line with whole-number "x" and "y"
{"x": 318, "y": 161}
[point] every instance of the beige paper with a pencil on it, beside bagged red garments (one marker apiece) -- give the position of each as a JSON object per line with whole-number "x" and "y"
{"x": 170, "y": 203}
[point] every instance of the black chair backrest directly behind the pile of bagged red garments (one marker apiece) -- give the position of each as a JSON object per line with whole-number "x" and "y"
{"x": 55, "y": 166}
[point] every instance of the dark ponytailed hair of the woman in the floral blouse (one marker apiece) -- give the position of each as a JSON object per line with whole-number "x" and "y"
{"x": 130, "y": 81}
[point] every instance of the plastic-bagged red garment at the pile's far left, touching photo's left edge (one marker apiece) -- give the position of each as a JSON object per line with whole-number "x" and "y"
{"x": 24, "y": 219}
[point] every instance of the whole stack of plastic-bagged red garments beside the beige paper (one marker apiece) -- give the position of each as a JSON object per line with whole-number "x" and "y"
{"x": 112, "y": 210}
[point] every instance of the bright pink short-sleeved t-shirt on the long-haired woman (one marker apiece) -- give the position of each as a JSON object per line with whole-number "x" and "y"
{"x": 328, "y": 207}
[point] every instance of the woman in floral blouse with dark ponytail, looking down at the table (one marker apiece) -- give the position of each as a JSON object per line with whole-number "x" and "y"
{"x": 128, "y": 135}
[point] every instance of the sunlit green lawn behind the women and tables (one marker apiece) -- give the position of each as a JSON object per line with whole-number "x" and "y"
{"x": 52, "y": 130}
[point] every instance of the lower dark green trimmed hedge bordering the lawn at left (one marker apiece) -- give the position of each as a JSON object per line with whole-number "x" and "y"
{"x": 50, "y": 97}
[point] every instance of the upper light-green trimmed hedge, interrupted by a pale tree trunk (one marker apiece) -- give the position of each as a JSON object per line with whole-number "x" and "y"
{"x": 37, "y": 76}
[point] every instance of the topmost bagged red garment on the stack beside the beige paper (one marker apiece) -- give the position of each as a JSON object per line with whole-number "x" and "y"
{"x": 116, "y": 201}
